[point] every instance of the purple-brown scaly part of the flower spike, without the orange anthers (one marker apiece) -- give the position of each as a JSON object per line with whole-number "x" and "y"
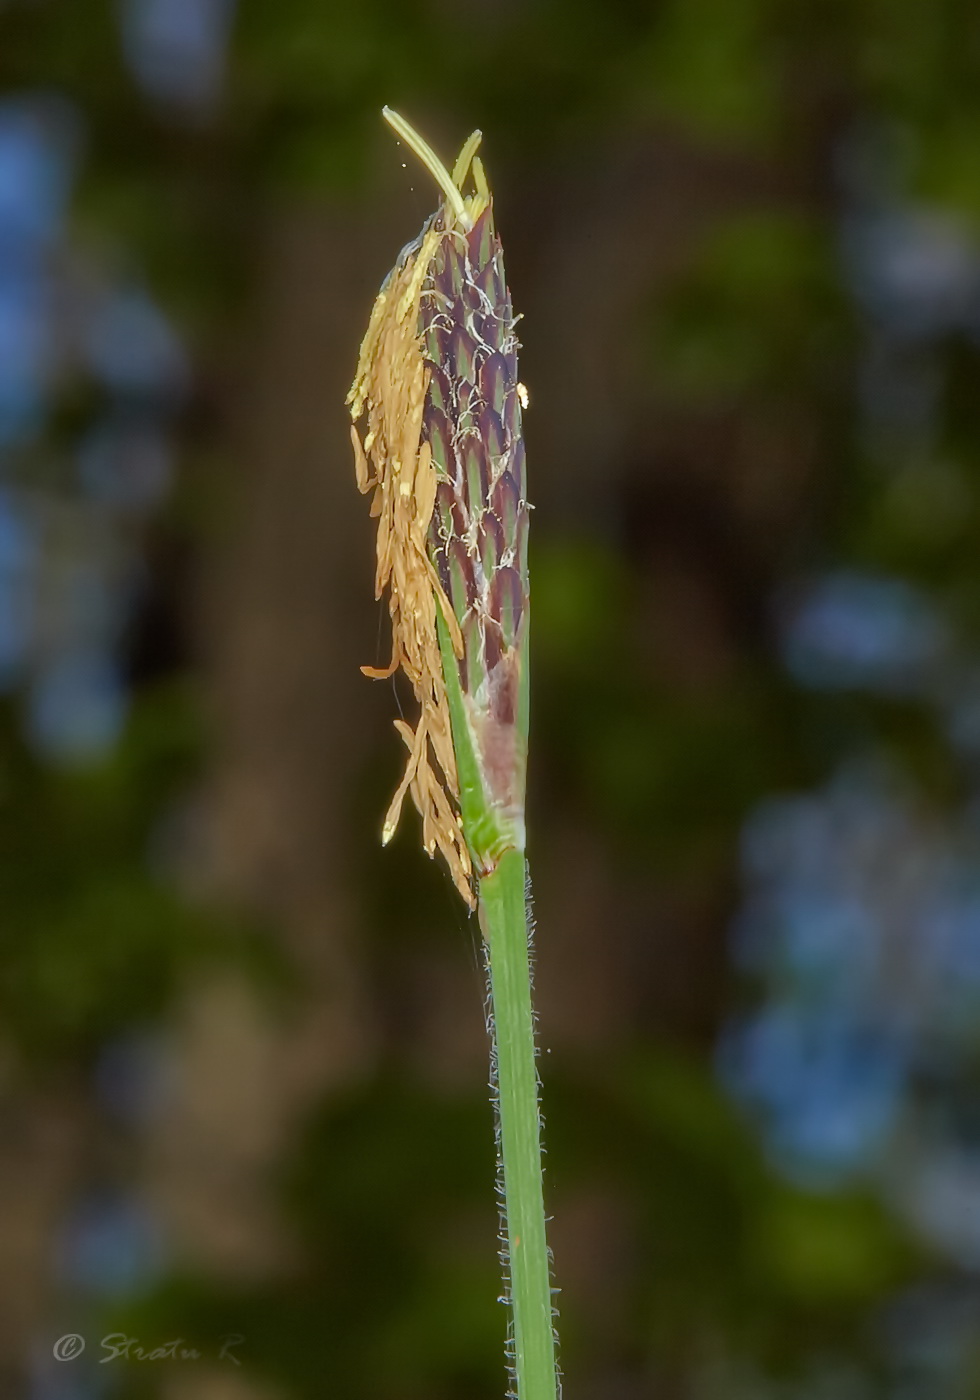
{"x": 479, "y": 531}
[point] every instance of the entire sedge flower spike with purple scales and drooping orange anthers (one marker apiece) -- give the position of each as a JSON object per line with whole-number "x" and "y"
{"x": 444, "y": 457}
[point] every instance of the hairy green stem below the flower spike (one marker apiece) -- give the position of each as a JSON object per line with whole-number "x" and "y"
{"x": 503, "y": 918}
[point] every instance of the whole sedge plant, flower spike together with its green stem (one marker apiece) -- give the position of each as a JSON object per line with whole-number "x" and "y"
{"x": 436, "y": 409}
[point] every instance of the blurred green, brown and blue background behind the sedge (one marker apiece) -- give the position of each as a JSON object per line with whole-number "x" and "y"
{"x": 243, "y": 1058}
